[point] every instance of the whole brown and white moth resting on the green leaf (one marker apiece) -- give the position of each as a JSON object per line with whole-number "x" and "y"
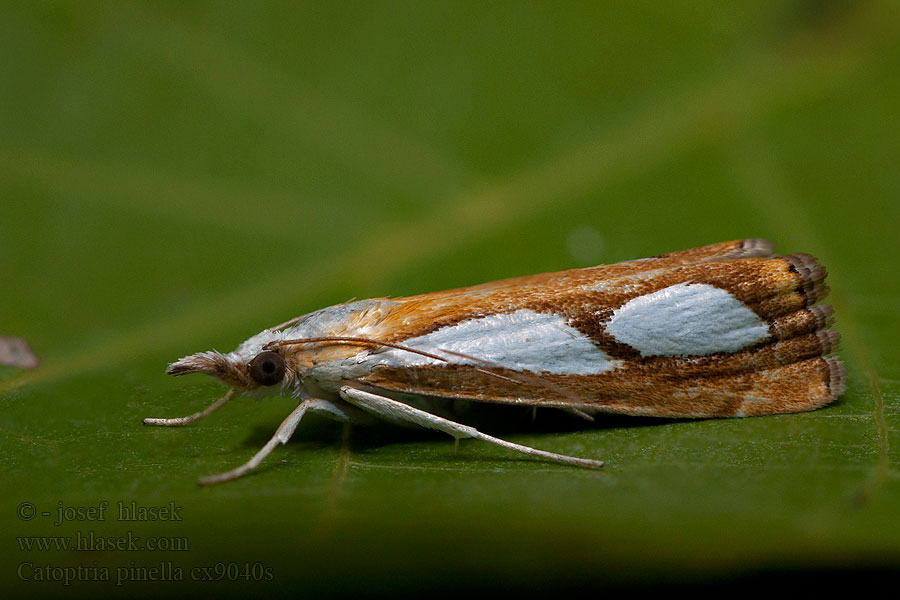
{"x": 725, "y": 330}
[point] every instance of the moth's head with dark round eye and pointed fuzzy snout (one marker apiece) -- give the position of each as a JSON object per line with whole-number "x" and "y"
{"x": 248, "y": 367}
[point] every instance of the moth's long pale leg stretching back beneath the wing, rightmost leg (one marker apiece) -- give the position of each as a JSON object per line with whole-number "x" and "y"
{"x": 398, "y": 411}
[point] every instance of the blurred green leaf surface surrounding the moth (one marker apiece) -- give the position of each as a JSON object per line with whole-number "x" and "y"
{"x": 177, "y": 176}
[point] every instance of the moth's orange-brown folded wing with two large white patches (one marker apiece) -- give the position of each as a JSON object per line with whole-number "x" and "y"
{"x": 731, "y": 336}
